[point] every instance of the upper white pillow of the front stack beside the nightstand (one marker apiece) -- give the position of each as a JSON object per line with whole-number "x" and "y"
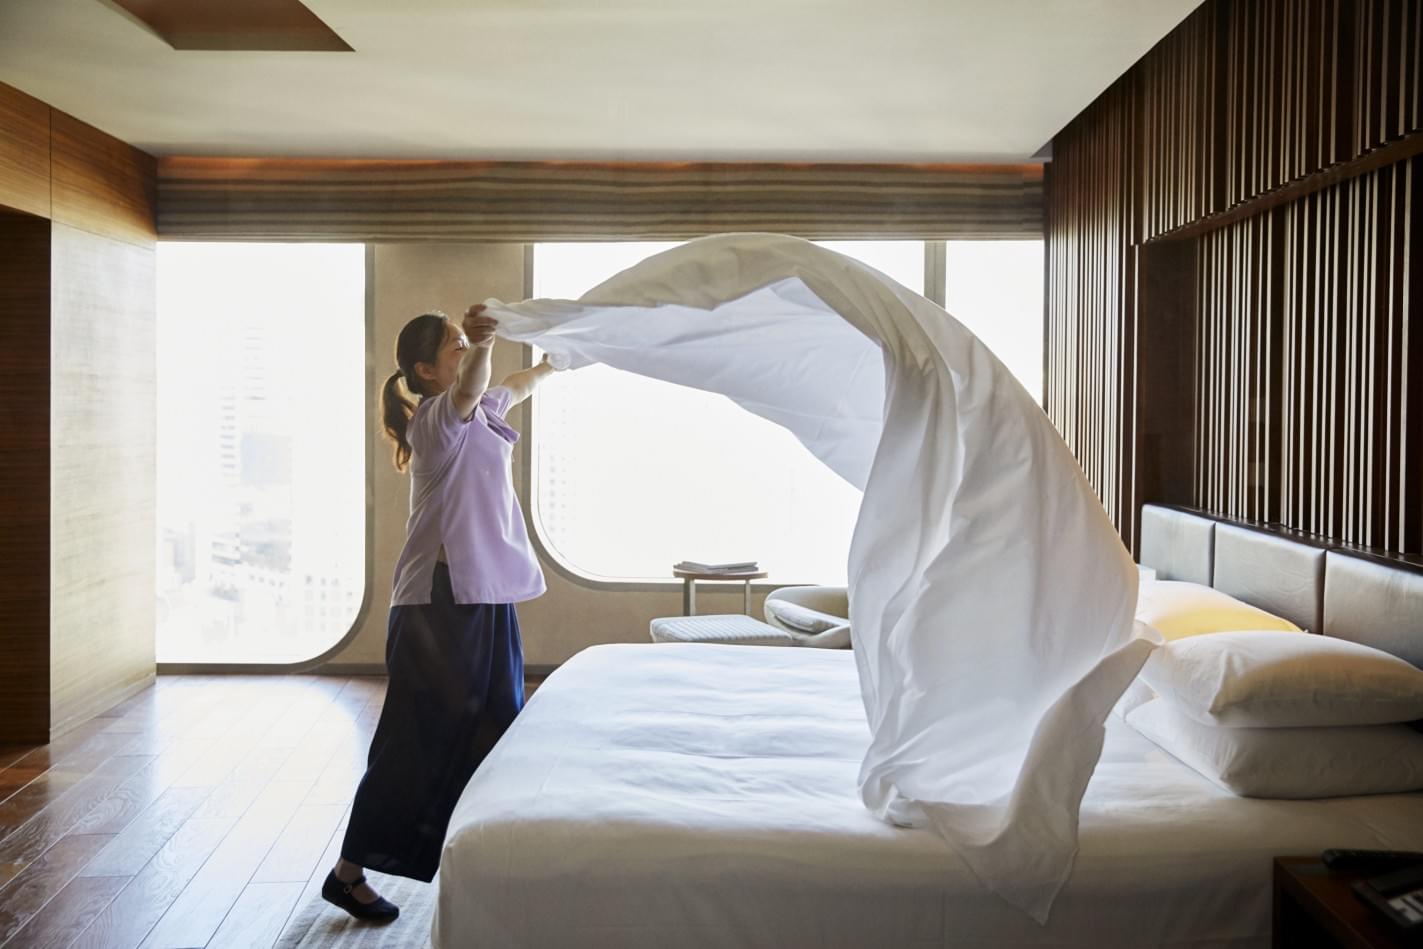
{"x": 1264, "y": 679}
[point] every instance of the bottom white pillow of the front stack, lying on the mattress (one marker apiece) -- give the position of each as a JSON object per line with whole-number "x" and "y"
{"x": 1290, "y": 763}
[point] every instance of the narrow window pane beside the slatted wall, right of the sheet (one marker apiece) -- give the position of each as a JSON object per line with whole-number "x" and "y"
{"x": 995, "y": 288}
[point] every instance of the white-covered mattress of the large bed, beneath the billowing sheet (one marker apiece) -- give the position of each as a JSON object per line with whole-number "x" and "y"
{"x": 705, "y": 796}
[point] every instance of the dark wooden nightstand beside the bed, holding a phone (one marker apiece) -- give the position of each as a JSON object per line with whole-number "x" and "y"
{"x": 1316, "y": 908}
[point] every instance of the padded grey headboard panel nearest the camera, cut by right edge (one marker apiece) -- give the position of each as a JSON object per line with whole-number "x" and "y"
{"x": 1375, "y": 604}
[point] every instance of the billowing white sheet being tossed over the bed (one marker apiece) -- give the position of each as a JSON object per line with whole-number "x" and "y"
{"x": 990, "y": 595}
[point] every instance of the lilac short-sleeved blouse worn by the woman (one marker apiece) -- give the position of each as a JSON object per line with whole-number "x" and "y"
{"x": 462, "y": 496}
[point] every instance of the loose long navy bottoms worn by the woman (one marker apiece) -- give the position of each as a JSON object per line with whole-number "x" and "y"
{"x": 456, "y": 684}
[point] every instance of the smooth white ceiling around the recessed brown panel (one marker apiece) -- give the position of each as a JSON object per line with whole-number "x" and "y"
{"x": 615, "y": 80}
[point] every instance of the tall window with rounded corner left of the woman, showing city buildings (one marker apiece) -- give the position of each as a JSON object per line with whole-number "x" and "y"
{"x": 263, "y": 442}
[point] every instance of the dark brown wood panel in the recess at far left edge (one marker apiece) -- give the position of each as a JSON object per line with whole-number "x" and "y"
{"x": 25, "y": 479}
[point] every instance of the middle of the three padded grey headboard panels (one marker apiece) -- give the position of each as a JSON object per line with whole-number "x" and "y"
{"x": 1280, "y": 576}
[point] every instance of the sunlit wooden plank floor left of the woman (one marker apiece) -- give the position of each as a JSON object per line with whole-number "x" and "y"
{"x": 201, "y": 813}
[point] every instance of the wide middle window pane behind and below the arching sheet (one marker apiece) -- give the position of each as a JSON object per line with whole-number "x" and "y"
{"x": 635, "y": 474}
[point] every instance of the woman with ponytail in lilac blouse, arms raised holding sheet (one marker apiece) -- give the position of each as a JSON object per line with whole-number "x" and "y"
{"x": 453, "y": 651}
